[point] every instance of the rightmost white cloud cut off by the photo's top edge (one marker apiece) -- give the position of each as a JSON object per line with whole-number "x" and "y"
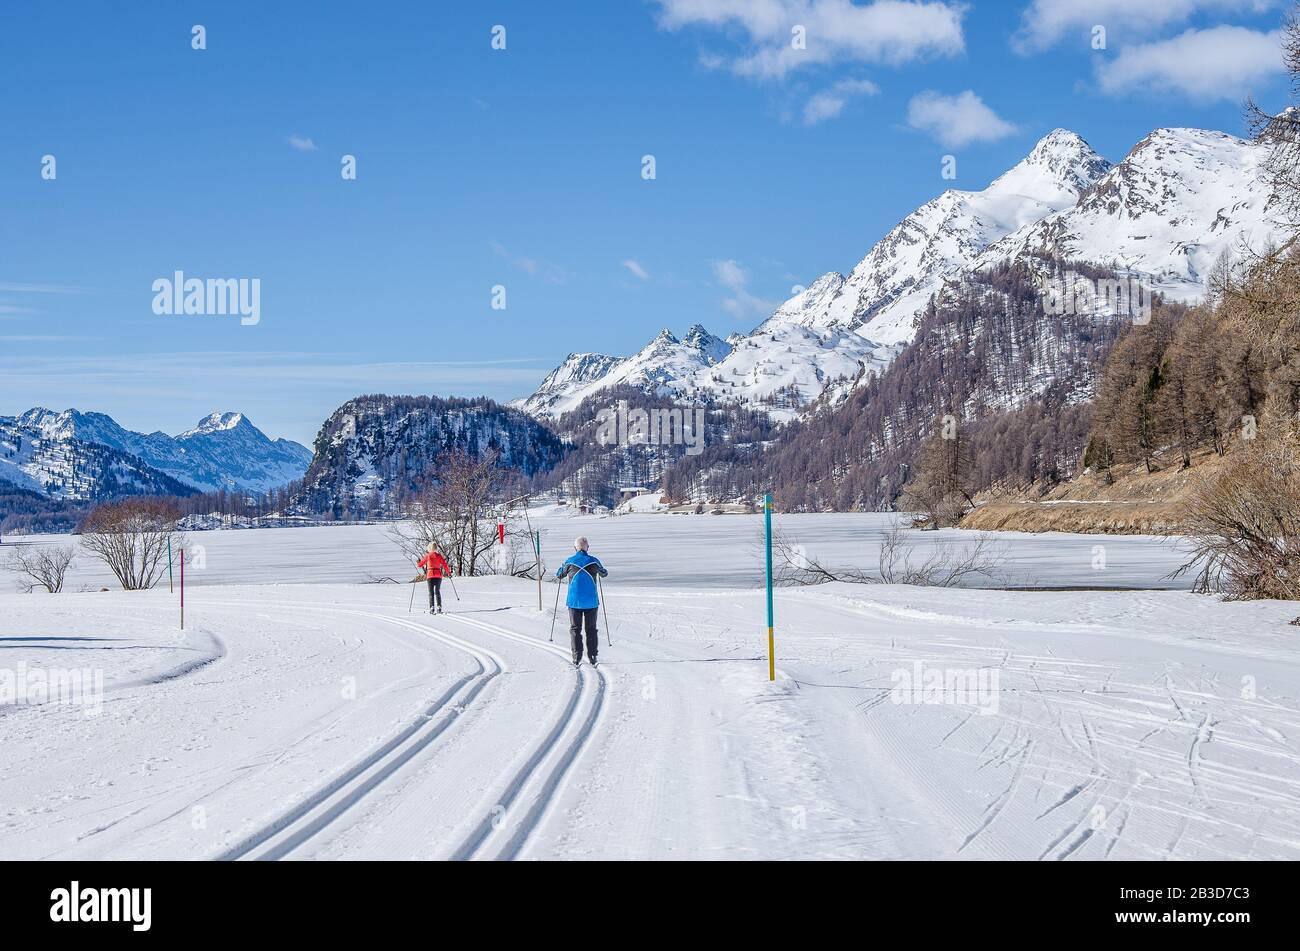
{"x": 1046, "y": 23}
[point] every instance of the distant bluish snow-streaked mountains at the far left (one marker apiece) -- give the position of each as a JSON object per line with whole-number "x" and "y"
{"x": 80, "y": 457}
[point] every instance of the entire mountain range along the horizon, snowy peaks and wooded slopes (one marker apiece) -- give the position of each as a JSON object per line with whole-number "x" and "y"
{"x": 946, "y": 310}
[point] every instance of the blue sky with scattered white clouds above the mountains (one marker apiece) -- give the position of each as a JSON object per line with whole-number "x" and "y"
{"x": 518, "y": 167}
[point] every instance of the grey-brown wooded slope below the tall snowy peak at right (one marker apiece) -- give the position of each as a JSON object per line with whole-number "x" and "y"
{"x": 1016, "y": 379}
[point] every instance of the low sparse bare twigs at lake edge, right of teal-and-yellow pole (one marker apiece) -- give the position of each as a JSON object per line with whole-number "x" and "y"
{"x": 900, "y": 562}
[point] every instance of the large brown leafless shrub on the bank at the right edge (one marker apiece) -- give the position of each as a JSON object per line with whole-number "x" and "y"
{"x": 1246, "y": 527}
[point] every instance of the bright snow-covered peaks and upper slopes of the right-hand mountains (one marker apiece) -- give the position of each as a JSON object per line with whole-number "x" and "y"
{"x": 1164, "y": 216}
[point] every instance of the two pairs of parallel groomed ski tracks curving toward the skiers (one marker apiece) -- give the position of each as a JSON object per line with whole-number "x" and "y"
{"x": 519, "y": 804}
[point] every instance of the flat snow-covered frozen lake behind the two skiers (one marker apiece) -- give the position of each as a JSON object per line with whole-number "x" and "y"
{"x": 660, "y": 550}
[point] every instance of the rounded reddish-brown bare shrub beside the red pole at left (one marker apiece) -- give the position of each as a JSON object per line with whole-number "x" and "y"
{"x": 135, "y": 539}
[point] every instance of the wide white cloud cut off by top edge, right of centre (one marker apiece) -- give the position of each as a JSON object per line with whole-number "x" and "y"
{"x": 889, "y": 32}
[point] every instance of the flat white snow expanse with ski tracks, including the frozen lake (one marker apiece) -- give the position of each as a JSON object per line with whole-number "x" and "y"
{"x": 304, "y": 715}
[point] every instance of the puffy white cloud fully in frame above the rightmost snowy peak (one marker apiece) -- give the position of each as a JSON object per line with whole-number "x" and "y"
{"x": 1207, "y": 66}
